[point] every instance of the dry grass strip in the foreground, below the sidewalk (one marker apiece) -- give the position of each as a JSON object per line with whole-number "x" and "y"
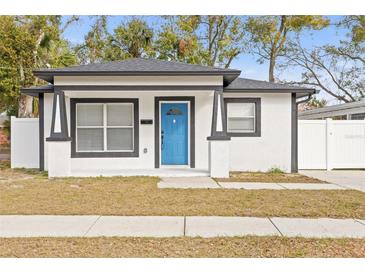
{"x": 181, "y": 247}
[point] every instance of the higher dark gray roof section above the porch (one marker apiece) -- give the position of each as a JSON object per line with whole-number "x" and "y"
{"x": 138, "y": 66}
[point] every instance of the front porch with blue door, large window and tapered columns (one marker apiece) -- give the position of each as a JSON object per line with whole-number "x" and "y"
{"x": 198, "y": 150}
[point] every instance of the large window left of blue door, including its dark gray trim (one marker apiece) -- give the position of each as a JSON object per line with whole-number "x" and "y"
{"x": 104, "y": 128}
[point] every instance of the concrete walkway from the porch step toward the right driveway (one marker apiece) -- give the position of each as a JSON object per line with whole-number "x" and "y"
{"x": 209, "y": 183}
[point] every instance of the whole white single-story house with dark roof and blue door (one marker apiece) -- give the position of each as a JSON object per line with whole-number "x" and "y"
{"x": 144, "y": 116}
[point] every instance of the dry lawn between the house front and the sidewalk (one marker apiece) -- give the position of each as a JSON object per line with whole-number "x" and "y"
{"x": 30, "y": 192}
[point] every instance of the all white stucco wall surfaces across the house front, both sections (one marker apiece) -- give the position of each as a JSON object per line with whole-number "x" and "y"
{"x": 272, "y": 149}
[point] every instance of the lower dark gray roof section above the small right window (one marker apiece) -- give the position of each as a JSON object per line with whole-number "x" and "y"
{"x": 250, "y": 84}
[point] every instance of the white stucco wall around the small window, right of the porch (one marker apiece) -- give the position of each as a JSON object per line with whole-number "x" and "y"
{"x": 273, "y": 148}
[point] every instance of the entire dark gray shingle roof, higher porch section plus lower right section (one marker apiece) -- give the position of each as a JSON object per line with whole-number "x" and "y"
{"x": 140, "y": 66}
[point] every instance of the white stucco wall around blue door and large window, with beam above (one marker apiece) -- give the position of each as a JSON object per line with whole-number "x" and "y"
{"x": 203, "y": 114}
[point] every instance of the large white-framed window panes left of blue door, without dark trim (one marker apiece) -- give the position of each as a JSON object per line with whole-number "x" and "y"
{"x": 104, "y": 127}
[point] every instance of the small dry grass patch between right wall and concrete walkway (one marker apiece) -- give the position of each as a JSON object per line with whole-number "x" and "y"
{"x": 268, "y": 177}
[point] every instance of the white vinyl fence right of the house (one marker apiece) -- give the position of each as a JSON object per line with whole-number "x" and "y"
{"x": 330, "y": 144}
